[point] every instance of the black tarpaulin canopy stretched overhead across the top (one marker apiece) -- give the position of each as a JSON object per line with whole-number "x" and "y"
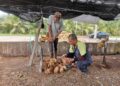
{"x": 31, "y": 9}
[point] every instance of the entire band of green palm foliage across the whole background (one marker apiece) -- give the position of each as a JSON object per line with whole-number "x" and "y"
{"x": 14, "y": 25}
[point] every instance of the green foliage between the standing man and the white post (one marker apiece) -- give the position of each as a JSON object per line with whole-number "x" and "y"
{"x": 78, "y": 28}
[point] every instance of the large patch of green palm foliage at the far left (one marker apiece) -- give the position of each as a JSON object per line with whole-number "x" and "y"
{"x": 13, "y": 25}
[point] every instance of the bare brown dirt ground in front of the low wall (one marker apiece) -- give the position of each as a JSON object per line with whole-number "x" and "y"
{"x": 15, "y": 72}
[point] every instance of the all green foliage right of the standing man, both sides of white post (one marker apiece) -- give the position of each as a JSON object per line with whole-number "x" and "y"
{"x": 111, "y": 27}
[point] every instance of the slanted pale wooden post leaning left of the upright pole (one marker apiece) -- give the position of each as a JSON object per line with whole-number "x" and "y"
{"x": 34, "y": 47}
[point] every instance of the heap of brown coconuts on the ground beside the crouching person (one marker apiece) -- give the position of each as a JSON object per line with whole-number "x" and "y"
{"x": 52, "y": 65}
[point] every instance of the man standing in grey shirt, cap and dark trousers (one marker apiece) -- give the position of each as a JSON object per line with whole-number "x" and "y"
{"x": 55, "y": 26}
